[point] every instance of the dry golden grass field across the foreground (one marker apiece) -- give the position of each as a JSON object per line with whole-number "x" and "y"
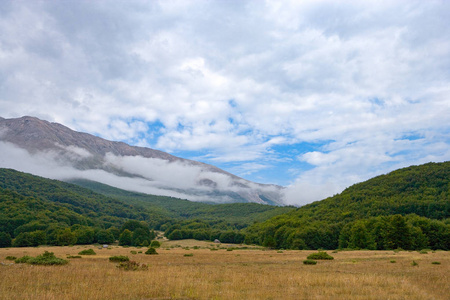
{"x": 238, "y": 274}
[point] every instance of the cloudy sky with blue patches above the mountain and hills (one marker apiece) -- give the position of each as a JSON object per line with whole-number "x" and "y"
{"x": 312, "y": 95}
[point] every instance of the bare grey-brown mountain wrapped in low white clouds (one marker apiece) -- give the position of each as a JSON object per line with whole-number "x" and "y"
{"x": 55, "y": 151}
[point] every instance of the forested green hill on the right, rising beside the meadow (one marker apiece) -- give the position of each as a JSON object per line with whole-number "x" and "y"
{"x": 407, "y": 208}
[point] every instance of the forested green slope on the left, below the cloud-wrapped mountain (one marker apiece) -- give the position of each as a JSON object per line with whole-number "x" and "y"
{"x": 36, "y": 210}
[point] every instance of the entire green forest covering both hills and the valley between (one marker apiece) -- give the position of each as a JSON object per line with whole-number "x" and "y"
{"x": 408, "y": 209}
